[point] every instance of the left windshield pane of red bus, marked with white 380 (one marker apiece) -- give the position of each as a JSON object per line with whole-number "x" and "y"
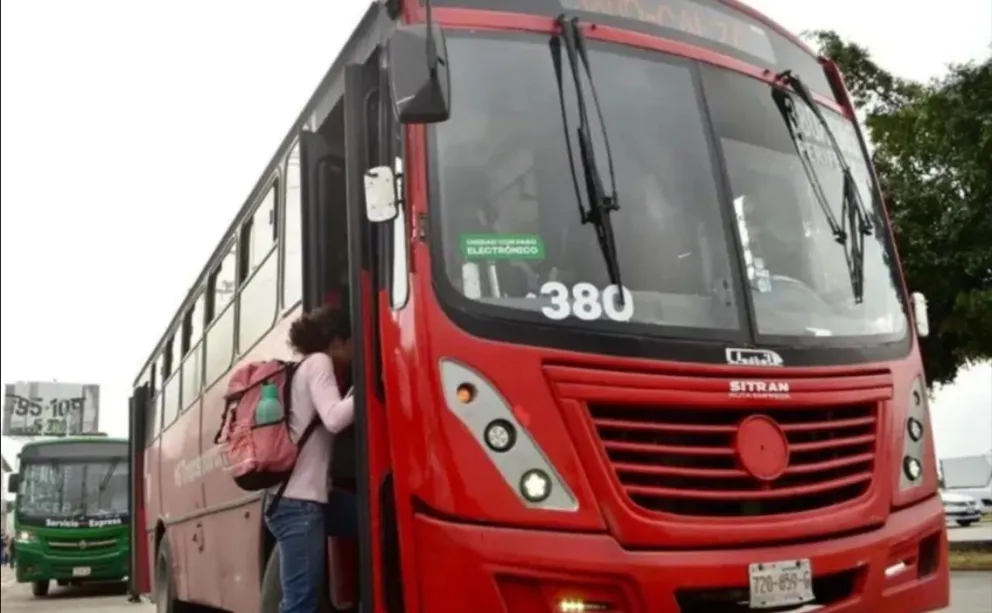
{"x": 513, "y": 234}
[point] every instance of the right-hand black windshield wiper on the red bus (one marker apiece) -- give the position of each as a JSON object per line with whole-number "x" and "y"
{"x": 854, "y": 215}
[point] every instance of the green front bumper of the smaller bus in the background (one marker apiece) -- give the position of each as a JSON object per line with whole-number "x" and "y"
{"x": 33, "y": 564}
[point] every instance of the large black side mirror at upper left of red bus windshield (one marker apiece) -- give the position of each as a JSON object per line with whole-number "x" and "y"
{"x": 418, "y": 68}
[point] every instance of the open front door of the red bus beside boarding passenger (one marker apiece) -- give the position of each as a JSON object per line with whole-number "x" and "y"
{"x": 358, "y": 465}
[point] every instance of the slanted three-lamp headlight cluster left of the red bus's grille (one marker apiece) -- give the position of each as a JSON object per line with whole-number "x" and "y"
{"x": 489, "y": 419}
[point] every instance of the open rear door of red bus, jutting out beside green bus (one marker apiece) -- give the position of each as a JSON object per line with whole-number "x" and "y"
{"x": 139, "y": 579}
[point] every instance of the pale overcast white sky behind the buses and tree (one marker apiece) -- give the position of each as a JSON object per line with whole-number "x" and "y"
{"x": 133, "y": 131}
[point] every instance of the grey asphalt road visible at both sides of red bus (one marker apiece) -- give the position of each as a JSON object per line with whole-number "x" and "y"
{"x": 970, "y": 593}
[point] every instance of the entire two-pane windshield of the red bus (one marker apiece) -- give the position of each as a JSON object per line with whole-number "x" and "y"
{"x": 513, "y": 241}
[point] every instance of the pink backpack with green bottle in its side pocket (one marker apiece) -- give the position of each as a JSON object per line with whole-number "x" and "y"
{"x": 259, "y": 457}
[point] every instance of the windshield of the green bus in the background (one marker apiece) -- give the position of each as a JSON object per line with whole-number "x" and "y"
{"x": 74, "y": 489}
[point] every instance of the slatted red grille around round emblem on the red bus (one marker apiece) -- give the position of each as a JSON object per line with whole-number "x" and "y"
{"x": 684, "y": 462}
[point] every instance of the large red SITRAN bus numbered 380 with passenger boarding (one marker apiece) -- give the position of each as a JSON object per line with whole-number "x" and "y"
{"x": 632, "y": 335}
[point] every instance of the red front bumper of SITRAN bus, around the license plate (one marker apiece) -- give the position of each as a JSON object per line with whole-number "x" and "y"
{"x": 899, "y": 568}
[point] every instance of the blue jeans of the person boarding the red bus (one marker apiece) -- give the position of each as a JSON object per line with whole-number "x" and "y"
{"x": 301, "y": 528}
